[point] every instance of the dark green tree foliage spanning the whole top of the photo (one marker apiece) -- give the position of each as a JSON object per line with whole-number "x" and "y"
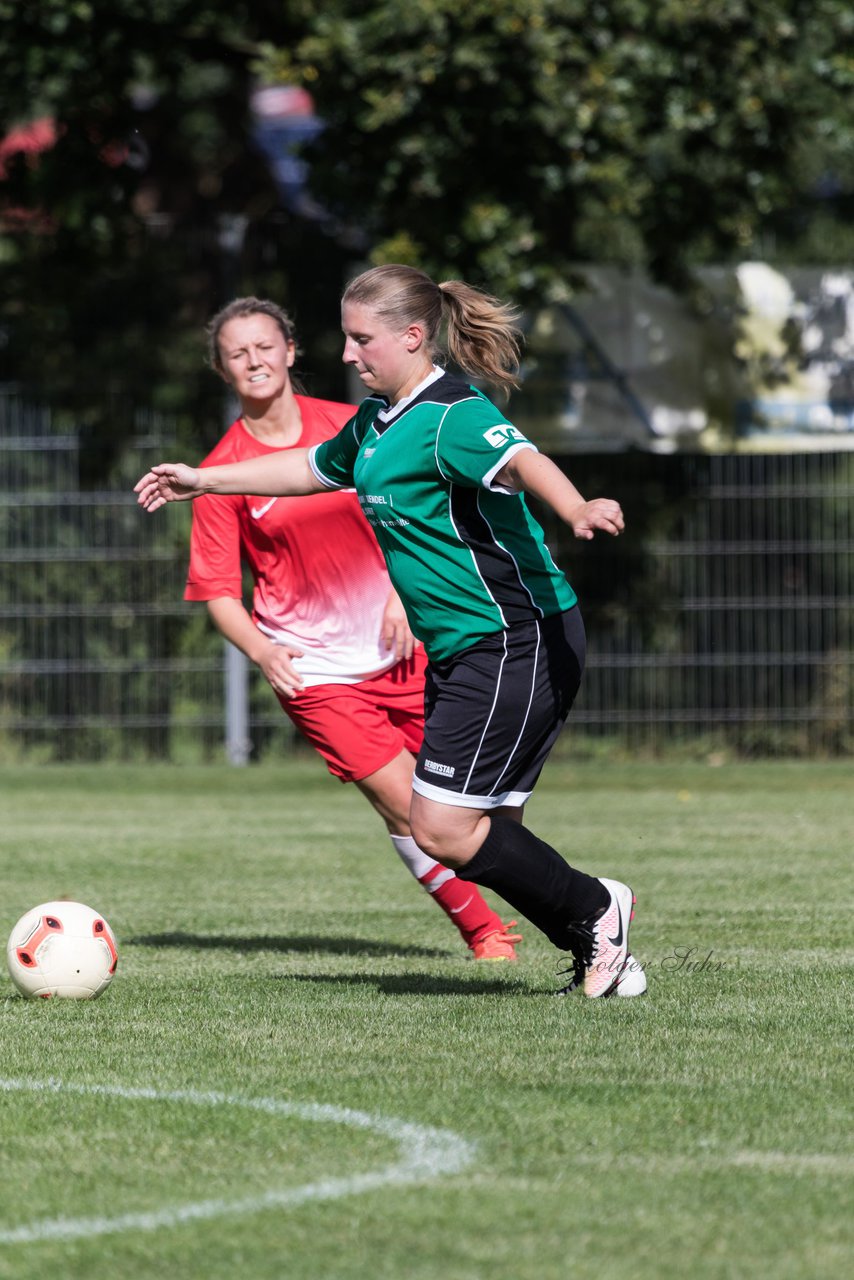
{"x": 506, "y": 141}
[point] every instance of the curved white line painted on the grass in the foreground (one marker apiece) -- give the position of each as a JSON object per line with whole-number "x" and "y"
{"x": 424, "y": 1155}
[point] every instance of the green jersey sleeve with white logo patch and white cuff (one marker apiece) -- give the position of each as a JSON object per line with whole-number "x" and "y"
{"x": 476, "y": 442}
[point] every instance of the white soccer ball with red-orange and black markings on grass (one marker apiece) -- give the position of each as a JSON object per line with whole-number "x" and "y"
{"x": 62, "y": 949}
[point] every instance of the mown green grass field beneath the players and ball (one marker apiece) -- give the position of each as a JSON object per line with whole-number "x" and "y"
{"x": 298, "y": 1073}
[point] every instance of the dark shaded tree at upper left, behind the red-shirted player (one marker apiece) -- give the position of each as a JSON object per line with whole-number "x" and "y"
{"x": 154, "y": 203}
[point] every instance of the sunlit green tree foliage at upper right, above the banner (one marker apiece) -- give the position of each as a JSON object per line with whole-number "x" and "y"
{"x": 512, "y": 140}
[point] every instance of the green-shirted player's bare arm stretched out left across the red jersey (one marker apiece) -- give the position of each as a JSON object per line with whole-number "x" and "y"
{"x": 275, "y": 474}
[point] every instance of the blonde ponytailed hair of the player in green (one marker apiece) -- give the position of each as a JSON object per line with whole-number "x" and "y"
{"x": 481, "y": 333}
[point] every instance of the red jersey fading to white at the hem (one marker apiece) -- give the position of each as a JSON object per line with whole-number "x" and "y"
{"x": 321, "y": 580}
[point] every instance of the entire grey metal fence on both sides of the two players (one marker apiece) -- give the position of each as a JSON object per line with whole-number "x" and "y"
{"x": 721, "y": 623}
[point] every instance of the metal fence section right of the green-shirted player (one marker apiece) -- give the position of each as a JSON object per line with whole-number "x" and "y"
{"x": 741, "y": 633}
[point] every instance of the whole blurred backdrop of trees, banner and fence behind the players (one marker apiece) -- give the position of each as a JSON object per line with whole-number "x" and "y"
{"x": 666, "y": 191}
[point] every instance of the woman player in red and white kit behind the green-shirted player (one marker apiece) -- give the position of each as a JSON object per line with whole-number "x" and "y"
{"x": 326, "y": 629}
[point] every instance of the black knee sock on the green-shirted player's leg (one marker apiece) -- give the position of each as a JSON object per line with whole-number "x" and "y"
{"x": 536, "y": 880}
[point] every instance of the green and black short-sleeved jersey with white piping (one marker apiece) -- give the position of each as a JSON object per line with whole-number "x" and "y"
{"x": 465, "y": 555}
